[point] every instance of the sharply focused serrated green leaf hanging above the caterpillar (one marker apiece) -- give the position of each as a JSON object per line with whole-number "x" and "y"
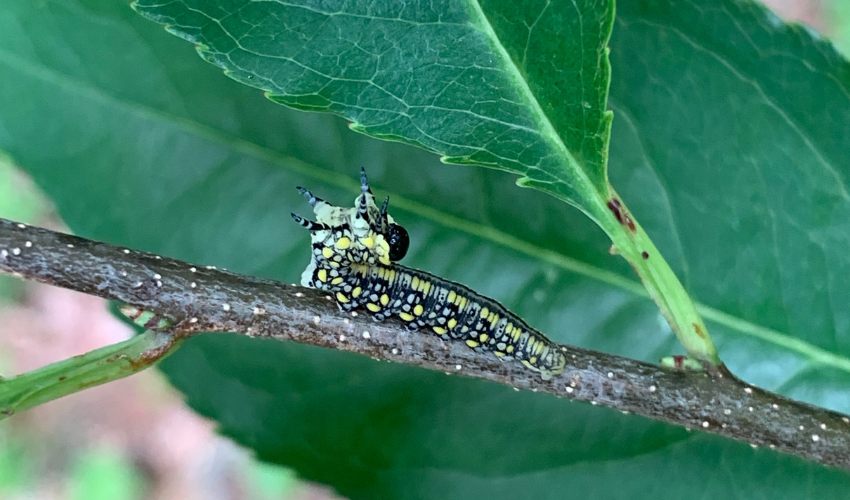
{"x": 472, "y": 81}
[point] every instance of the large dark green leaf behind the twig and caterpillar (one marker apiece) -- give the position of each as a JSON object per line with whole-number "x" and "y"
{"x": 147, "y": 146}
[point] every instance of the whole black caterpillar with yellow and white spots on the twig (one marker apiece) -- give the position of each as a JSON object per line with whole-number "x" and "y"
{"x": 355, "y": 254}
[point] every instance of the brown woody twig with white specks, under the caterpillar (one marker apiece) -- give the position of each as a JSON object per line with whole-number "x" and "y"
{"x": 202, "y": 299}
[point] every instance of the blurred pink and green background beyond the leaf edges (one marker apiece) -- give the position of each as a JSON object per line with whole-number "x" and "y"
{"x": 178, "y": 455}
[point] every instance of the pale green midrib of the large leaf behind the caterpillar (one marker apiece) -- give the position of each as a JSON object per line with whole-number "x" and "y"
{"x": 86, "y": 89}
